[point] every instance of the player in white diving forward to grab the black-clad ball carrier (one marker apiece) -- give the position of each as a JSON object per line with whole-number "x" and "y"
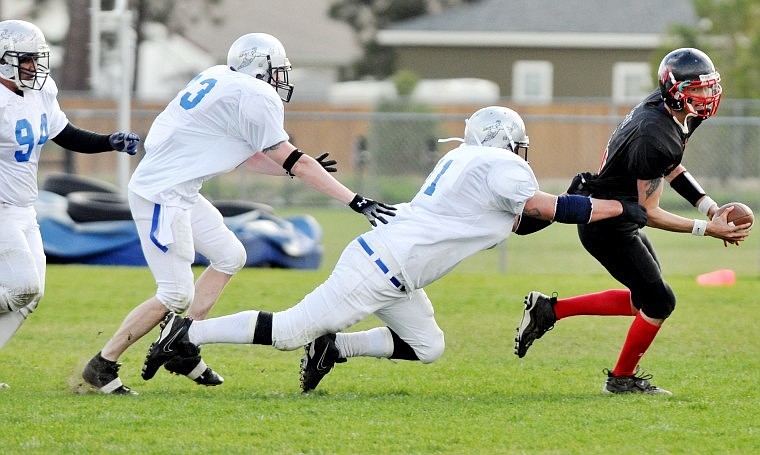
{"x": 472, "y": 200}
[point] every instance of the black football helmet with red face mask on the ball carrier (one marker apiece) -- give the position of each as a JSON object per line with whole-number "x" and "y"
{"x": 680, "y": 72}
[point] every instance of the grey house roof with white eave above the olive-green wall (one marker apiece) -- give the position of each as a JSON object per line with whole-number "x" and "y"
{"x": 545, "y": 23}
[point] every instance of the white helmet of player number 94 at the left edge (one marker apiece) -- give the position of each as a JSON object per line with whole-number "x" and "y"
{"x": 21, "y": 42}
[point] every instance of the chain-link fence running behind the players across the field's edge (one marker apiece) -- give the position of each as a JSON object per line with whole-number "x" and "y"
{"x": 387, "y": 152}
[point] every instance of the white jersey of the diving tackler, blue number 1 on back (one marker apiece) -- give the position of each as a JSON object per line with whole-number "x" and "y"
{"x": 467, "y": 204}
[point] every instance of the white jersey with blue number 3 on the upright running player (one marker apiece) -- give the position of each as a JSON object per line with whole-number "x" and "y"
{"x": 214, "y": 124}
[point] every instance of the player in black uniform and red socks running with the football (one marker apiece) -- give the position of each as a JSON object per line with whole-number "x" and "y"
{"x": 643, "y": 152}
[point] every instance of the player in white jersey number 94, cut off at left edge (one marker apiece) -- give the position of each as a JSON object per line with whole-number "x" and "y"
{"x": 29, "y": 117}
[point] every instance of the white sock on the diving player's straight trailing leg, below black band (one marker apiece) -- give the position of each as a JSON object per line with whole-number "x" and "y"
{"x": 235, "y": 328}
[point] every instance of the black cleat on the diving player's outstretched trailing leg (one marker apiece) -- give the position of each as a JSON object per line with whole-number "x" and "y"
{"x": 172, "y": 342}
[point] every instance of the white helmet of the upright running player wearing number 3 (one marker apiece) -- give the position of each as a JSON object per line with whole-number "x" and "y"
{"x": 263, "y": 57}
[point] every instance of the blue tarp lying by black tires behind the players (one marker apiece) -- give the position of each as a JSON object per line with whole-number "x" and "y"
{"x": 269, "y": 241}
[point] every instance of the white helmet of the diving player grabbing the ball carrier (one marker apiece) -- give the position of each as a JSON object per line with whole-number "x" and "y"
{"x": 497, "y": 126}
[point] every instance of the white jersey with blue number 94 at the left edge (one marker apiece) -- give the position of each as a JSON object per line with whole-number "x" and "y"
{"x": 26, "y": 123}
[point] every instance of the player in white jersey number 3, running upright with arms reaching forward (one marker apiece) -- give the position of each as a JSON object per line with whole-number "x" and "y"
{"x": 226, "y": 116}
